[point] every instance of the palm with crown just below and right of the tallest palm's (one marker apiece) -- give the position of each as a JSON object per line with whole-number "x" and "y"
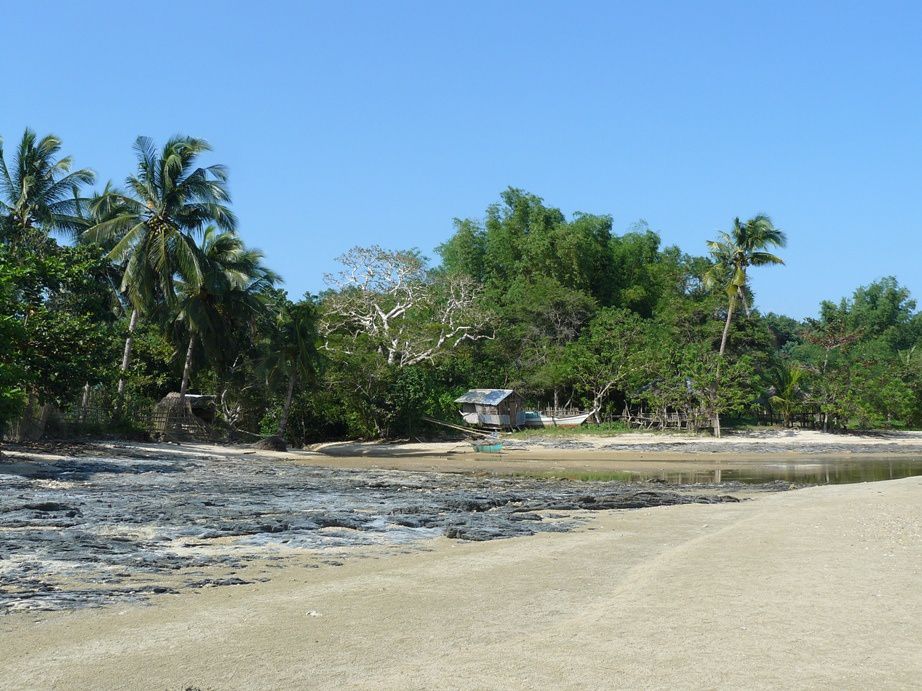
{"x": 233, "y": 281}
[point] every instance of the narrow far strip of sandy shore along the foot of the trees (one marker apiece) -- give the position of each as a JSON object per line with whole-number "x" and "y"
{"x": 539, "y": 456}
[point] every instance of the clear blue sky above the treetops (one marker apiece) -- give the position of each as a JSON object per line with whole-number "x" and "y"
{"x": 348, "y": 123}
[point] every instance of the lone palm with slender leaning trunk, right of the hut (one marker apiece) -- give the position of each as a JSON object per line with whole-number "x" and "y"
{"x": 733, "y": 253}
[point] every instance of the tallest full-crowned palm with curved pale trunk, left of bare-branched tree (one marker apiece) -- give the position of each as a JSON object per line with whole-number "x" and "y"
{"x": 151, "y": 225}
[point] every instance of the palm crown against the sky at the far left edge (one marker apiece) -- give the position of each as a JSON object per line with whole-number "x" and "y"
{"x": 38, "y": 191}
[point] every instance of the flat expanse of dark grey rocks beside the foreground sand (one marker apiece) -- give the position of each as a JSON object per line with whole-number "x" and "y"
{"x": 81, "y": 531}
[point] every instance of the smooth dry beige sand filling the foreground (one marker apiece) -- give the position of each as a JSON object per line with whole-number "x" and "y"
{"x": 813, "y": 588}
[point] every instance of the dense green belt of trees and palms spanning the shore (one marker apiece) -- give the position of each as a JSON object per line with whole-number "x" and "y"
{"x": 110, "y": 300}
